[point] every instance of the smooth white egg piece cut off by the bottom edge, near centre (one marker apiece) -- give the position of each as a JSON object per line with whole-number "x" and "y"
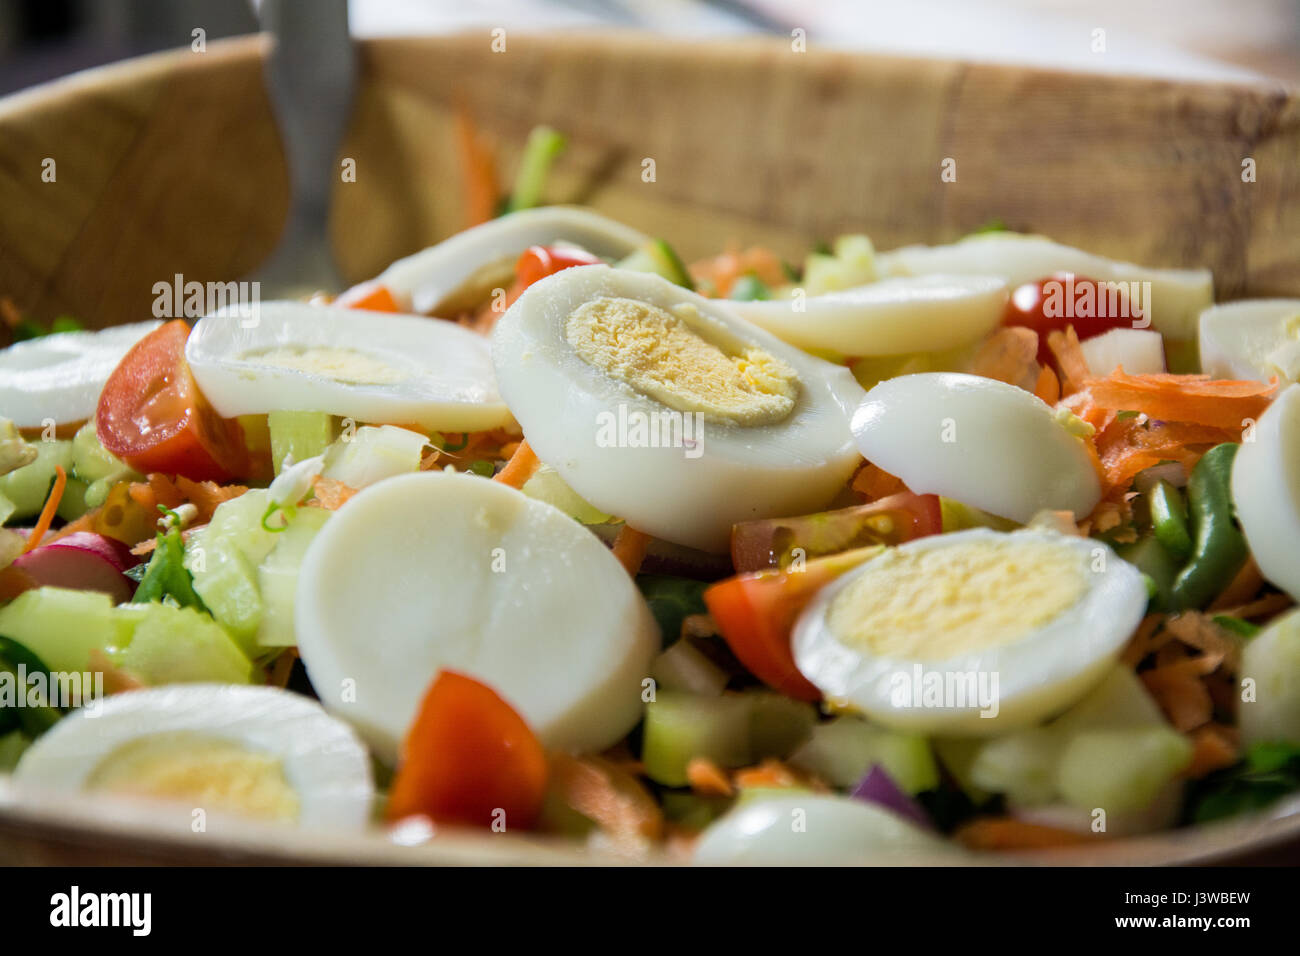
{"x": 814, "y": 830}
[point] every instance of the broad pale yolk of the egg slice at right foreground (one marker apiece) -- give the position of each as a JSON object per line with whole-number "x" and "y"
{"x": 938, "y": 604}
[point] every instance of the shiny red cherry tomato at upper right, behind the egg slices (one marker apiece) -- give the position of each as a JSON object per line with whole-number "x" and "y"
{"x": 1055, "y": 302}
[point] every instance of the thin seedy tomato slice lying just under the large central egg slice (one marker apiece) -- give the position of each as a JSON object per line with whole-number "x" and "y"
{"x": 770, "y": 542}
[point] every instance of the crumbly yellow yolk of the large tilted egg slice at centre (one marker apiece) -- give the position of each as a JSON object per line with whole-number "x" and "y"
{"x": 662, "y": 356}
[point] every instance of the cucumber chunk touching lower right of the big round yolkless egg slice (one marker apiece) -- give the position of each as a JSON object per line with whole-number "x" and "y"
{"x": 681, "y": 728}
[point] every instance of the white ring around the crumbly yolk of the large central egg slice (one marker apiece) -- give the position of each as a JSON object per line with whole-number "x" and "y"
{"x": 740, "y": 473}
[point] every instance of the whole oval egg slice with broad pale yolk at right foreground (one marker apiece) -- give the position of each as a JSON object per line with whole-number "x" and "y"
{"x": 974, "y": 633}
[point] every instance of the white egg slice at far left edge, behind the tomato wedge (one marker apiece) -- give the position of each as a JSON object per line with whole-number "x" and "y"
{"x": 59, "y": 378}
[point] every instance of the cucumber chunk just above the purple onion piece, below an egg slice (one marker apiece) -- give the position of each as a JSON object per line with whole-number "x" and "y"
{"x": 844, "y": 750}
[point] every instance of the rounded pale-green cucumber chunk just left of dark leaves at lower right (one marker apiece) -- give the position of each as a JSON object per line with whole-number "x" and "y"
{"x": 1121, "y": 771}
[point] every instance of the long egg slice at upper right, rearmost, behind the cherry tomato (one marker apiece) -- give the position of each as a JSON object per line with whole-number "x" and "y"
{"x": 1177, "y": 296}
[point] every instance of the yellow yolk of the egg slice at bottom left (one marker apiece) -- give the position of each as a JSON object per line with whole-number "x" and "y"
{"x": 205, "y": 772}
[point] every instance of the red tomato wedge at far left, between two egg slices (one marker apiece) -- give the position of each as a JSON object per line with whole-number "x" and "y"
{"x": 153, "y": 416}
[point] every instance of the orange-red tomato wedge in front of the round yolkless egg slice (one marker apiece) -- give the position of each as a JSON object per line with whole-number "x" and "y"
{"x": 469, "y": 756}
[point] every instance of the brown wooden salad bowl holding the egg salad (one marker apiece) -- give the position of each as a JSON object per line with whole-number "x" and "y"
{"x": 172, "y": 165}
